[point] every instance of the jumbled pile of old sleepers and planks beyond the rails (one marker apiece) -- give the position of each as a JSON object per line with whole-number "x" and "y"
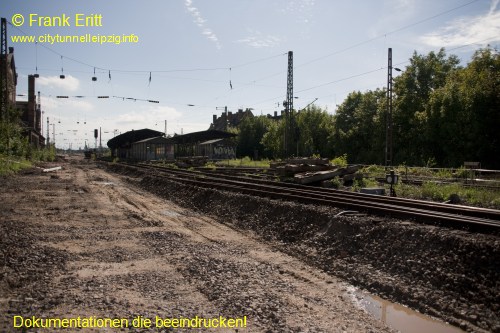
{"x": 316, "y": 170}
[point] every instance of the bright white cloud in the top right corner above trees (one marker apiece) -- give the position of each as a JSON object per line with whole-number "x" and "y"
{"x": 467, "y": 30}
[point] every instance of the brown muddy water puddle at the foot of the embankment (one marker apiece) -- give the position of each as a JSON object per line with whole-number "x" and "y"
{"x": 400, "y": 317}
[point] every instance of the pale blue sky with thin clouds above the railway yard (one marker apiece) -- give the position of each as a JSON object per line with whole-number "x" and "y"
{"x": 195, "y": 57}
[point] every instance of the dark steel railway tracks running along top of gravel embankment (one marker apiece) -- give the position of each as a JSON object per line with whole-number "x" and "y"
{"x": 457, "y": 216}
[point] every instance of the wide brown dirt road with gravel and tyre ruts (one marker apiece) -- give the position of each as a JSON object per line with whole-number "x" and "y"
{"x": 82, "y": 242}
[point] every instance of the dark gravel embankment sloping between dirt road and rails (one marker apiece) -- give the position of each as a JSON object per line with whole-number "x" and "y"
{"x": 450, "y": 274}
